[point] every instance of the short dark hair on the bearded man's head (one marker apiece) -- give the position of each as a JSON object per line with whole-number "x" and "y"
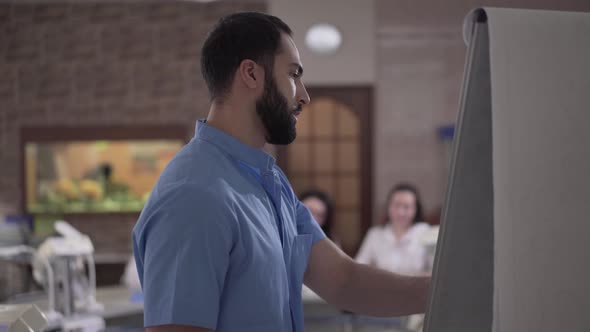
{"x": 235, "y": 38}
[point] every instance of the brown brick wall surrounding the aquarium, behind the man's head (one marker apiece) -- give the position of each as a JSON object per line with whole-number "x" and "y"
{"x": 100, "y": 64}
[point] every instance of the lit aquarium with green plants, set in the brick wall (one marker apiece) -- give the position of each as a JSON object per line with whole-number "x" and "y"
{"x": 93, "y": 176}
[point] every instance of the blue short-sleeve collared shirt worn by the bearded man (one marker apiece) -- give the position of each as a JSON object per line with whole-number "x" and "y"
{"x": 223, "y": 242}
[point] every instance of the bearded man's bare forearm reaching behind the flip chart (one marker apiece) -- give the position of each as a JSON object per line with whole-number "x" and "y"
{"x": 375, "y": 292}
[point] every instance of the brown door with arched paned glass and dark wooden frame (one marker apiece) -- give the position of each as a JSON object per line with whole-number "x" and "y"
{"x": 332, "y": 153}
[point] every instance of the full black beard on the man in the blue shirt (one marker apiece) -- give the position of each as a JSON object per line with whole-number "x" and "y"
{"x": 276, "y": 115}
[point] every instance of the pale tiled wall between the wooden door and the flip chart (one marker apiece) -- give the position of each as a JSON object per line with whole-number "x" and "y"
{"x": 420, "y": 60}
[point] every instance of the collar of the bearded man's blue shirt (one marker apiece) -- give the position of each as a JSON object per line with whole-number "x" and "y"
{"x": 238, "y": 150}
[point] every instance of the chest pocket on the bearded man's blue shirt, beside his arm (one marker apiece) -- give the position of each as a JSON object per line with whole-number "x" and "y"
{"x": 299, "y": 257}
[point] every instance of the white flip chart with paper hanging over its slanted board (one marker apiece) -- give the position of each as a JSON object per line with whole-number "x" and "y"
{"x": 514, "y": 247}
